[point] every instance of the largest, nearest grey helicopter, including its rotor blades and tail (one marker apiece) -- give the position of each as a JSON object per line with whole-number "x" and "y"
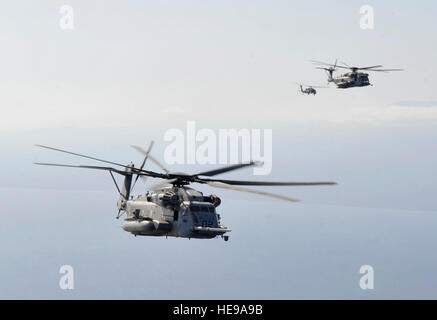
{"x": 171, "y": 208}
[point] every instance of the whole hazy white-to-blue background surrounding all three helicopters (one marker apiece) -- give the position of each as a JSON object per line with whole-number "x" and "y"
{"x": 130, "y": 71}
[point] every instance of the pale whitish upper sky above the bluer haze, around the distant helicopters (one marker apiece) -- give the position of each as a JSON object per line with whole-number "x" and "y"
{"x": 149, "y": 61}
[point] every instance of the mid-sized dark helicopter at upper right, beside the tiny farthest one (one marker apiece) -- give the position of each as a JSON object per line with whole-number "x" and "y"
{"x": 355, "y": 78}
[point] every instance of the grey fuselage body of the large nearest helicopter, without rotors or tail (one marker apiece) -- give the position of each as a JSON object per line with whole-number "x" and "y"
{"x": 174, "y": 212}
